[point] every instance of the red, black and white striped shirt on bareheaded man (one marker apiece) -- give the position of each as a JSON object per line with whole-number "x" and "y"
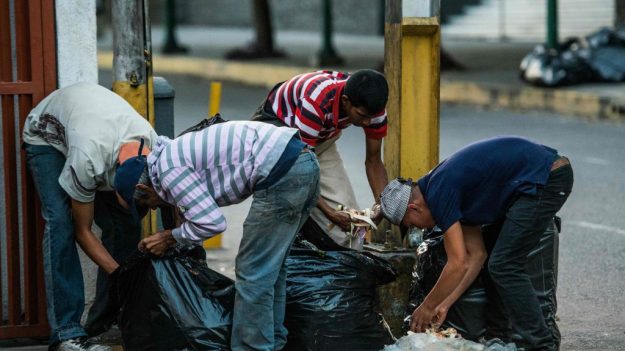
{"x": 310, "y": 102}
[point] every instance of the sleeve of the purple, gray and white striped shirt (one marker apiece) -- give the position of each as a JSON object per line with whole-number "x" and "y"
{"x": 203, "y": 216}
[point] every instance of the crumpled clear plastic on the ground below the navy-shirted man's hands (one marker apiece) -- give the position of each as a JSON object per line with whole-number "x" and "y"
{"x": 429, "y": 342}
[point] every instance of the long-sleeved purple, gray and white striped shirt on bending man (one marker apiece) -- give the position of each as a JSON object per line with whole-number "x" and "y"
{"x": 218, "y": 166}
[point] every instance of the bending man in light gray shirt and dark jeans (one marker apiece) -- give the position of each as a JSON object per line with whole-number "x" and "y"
{"x": 74, "y": 140}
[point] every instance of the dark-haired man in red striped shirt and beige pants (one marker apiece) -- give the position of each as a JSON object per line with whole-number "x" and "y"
{"x": 321, "y": 104}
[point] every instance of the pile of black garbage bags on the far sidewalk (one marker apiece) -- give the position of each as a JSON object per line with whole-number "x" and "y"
{"x": 599, "y": 57}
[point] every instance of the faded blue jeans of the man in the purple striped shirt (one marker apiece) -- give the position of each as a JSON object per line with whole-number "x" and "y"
{"x": 276, "y": 215}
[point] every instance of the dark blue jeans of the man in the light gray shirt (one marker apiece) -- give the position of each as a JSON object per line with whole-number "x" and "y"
{"x": 62, "y": 270}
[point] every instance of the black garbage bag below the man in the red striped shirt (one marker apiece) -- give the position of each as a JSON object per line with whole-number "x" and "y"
{"x": 330, "y": 301}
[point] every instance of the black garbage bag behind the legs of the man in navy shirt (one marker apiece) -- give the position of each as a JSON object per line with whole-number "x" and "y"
{"x": 474, "y": 311}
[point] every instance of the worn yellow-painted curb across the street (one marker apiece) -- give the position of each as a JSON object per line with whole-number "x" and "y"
{"x": 491, "y": 95}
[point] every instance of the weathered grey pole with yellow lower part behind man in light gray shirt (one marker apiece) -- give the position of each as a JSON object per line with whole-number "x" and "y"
{"x": 132, "y": 65}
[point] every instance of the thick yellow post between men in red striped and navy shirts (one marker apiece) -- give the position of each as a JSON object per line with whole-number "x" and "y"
{"x": 412, "y": 68}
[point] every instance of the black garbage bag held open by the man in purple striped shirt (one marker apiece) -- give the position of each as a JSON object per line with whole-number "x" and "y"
{"x": 174, "y": 303}
